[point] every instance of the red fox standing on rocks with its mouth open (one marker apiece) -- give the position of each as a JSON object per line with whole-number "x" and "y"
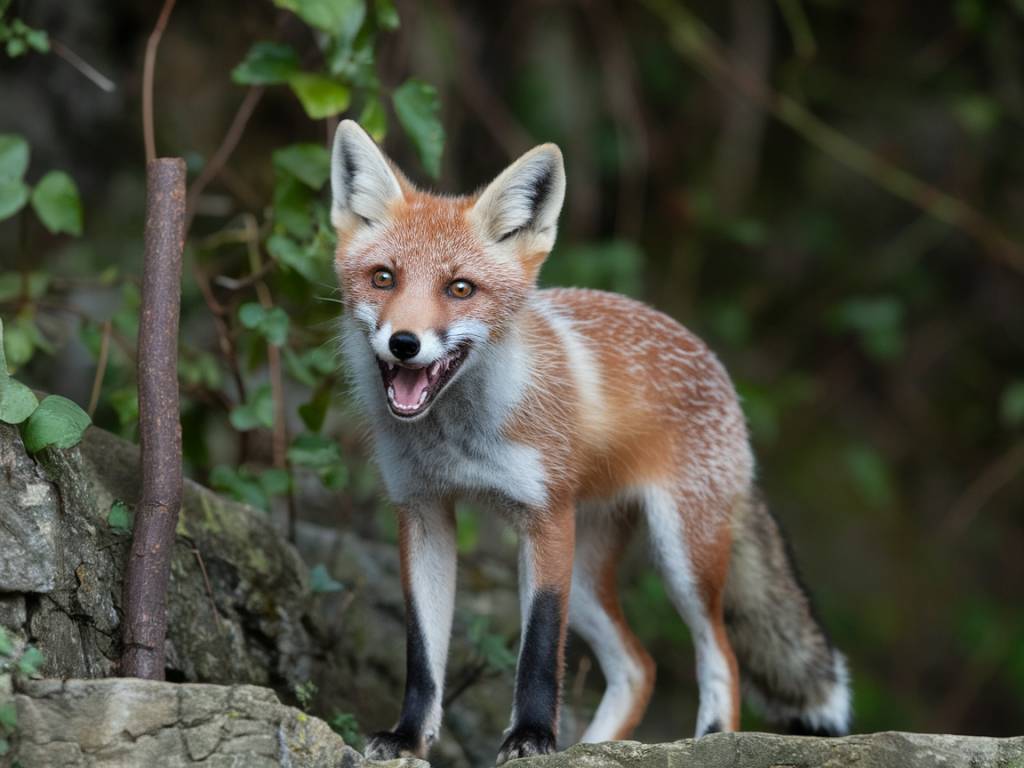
{"x": 576, "y": 415}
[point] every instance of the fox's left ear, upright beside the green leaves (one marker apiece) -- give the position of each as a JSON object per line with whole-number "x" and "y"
{"x": 363, "y": 184}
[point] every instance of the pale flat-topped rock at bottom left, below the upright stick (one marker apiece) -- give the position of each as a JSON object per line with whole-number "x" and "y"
{"x": 126, "y": 722}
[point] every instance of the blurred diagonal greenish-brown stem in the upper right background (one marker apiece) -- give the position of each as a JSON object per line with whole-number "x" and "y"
{"x": 697, "y": 44}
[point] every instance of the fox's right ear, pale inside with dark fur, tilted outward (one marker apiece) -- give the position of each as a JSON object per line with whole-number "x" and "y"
{"x": 526, "y": 199}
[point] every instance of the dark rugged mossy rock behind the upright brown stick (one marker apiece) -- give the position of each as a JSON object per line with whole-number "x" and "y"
{"x": 239, "y": 603}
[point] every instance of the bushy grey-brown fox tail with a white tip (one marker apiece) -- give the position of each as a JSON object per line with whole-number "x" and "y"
{"x": 791, "y": 672}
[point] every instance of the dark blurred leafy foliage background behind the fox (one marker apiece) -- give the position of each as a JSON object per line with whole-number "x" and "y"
{"x": 875, "y": 337}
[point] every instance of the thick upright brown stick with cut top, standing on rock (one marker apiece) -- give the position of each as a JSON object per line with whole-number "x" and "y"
{"x": 160, "y": 426}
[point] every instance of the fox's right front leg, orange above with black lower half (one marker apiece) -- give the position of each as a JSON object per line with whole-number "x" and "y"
{"x": 545, "y": 577}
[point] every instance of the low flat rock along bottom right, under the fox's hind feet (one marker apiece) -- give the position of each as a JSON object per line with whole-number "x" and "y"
{"x": 890, "y": 750}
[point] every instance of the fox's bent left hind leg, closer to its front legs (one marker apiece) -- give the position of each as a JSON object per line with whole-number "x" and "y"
{"x": 596, "y": 615}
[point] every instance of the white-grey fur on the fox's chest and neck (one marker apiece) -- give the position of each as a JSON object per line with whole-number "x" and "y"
{"x": 458, "y": 448}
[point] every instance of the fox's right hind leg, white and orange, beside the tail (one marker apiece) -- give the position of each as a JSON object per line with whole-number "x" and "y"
{"x": 697, "y": 588}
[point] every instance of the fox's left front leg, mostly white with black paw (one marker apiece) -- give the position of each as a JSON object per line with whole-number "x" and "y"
{"x": 428, "y": 545}
